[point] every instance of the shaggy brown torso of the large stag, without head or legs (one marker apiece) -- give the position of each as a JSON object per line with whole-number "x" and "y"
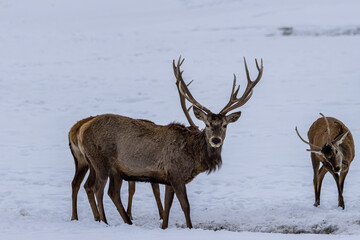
{"x": 139, "y": 149}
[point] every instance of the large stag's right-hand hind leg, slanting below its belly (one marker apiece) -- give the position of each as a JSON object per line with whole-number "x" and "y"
{"x": 114, "y": 194}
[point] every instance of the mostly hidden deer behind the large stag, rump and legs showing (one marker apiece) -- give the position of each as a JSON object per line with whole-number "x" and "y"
{"x": 82, "y": 166}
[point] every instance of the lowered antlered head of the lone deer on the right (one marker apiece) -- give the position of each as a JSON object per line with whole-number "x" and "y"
{"x": 331, "y": 153}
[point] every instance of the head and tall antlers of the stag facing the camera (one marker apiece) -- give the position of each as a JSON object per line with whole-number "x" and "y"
{"x": 215, "y": 124}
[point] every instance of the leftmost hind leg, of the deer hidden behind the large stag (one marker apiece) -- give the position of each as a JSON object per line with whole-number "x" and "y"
{"x": 80, "y": 171}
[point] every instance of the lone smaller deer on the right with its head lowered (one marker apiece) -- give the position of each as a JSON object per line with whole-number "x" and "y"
{"x": 332, "y": 144}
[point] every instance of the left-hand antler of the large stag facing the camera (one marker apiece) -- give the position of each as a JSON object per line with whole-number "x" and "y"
{"x": 184, "y": 93}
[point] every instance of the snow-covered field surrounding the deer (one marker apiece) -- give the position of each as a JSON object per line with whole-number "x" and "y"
{"x": 62, "y": 61}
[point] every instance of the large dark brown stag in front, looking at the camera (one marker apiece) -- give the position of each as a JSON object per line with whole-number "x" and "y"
{"x": 120, "y": 147}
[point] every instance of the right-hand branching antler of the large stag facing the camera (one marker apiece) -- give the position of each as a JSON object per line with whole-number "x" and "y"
{"x": 235, "y": 102}
